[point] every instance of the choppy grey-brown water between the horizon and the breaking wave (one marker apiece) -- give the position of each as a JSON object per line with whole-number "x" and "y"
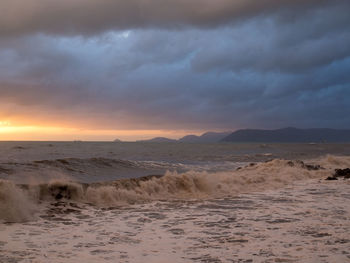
{"x": 106, "y": 161}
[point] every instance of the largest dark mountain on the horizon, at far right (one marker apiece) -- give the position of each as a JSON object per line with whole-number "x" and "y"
{"x": 289, "y": 135}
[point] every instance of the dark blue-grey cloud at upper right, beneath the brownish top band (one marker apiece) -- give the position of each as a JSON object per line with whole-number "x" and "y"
{"x": 311, "y": 41}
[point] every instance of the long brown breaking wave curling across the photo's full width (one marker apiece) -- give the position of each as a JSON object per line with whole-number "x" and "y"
{"x": 18, "y": 202}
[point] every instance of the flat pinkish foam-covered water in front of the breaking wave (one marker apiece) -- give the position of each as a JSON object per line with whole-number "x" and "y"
{"x": 308, "y": 221}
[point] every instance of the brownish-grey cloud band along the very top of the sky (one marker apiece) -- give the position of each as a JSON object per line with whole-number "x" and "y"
{"x": 94, "y": 16}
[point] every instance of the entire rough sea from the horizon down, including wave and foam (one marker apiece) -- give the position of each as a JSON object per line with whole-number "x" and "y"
{"x": 173, "y": 202}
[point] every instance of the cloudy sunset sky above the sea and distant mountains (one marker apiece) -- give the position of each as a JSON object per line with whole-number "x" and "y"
{"x": 136, "y": 69}
